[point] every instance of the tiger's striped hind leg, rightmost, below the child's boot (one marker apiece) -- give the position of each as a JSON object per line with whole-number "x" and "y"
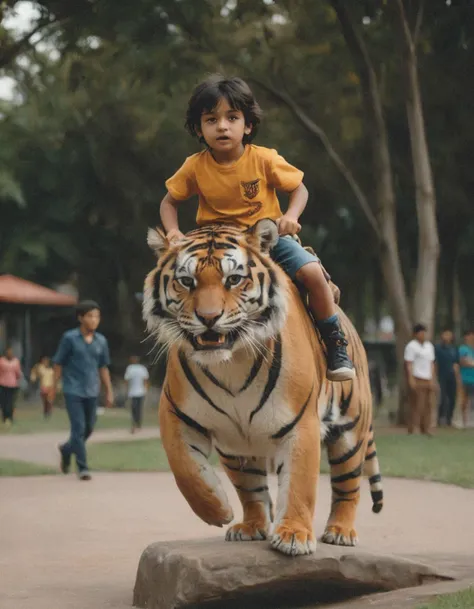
{"x": 346, "y": 458}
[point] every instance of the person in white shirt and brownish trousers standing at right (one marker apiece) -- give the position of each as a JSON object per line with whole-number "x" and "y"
{"x": 422, "y": 383}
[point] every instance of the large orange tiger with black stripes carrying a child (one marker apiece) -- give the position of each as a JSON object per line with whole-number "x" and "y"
{"x": 245, "y": 376}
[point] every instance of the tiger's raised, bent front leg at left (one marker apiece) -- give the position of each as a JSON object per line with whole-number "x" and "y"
{"x": 188, "y": 446}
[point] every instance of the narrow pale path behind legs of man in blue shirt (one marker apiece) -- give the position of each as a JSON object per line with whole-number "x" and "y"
{"x": 42, "y": 448}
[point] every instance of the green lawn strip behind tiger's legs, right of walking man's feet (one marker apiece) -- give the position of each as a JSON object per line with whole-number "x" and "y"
{"x": 444, "y": 458}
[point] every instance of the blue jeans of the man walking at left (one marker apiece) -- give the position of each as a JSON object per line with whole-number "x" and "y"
{"x": 82, "y": 416}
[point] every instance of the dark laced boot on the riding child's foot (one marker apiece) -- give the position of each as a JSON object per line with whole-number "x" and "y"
{"x": 339, "y": 364}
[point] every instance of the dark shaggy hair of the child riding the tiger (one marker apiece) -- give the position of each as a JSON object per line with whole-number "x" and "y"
{"x": 207, "y": 95}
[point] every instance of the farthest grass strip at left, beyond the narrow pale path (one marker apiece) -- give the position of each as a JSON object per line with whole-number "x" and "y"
{"x": 29, "y": 419}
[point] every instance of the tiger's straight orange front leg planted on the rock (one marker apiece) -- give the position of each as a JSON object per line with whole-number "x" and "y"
{"x": 298, "y": 461}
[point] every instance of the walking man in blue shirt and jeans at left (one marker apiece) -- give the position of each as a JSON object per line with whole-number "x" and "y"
{"x": 82, "y": 360}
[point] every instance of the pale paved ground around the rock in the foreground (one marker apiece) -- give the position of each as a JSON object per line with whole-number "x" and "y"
{"x": 66, "y": 544}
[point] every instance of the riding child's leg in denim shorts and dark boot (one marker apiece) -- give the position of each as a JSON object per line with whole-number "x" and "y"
{"x": 302, "y": 266}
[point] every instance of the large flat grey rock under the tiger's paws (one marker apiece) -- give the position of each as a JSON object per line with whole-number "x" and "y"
{"x": 212, "y": 573}
